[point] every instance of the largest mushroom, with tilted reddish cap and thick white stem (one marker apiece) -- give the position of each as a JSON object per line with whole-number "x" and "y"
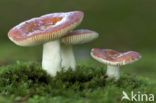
{"x": 46, "y": 30}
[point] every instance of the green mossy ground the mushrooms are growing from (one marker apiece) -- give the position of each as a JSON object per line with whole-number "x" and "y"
{"x": 27, "y": 82}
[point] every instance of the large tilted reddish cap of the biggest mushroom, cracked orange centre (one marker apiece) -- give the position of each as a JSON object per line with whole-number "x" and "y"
{"x": 45, "y": 28}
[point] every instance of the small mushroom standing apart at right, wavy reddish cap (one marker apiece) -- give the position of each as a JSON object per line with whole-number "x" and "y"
{"x": 114, "y": 60}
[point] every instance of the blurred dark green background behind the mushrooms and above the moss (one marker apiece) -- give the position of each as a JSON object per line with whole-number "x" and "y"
{"x": 123, "y": 25}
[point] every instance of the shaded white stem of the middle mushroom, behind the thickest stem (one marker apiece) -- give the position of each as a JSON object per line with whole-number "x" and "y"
{"x": 68, "y": 58}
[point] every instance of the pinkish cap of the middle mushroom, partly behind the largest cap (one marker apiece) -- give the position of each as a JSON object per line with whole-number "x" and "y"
{"x": 79, "y": 37}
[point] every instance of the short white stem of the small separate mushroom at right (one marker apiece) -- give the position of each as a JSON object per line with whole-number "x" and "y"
{"x": 113, "y": 71}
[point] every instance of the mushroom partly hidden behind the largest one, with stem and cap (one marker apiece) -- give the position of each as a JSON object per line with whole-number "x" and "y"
{"x": 74, "y": 37}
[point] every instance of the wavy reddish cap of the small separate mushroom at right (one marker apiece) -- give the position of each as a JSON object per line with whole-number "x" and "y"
{"x": 112, "y": 57}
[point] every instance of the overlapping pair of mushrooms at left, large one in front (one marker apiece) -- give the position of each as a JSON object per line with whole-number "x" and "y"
{"x": 55, "y": 32}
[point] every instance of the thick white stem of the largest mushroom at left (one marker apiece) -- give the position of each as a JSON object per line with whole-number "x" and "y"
{"x": 51, "y": 60}
